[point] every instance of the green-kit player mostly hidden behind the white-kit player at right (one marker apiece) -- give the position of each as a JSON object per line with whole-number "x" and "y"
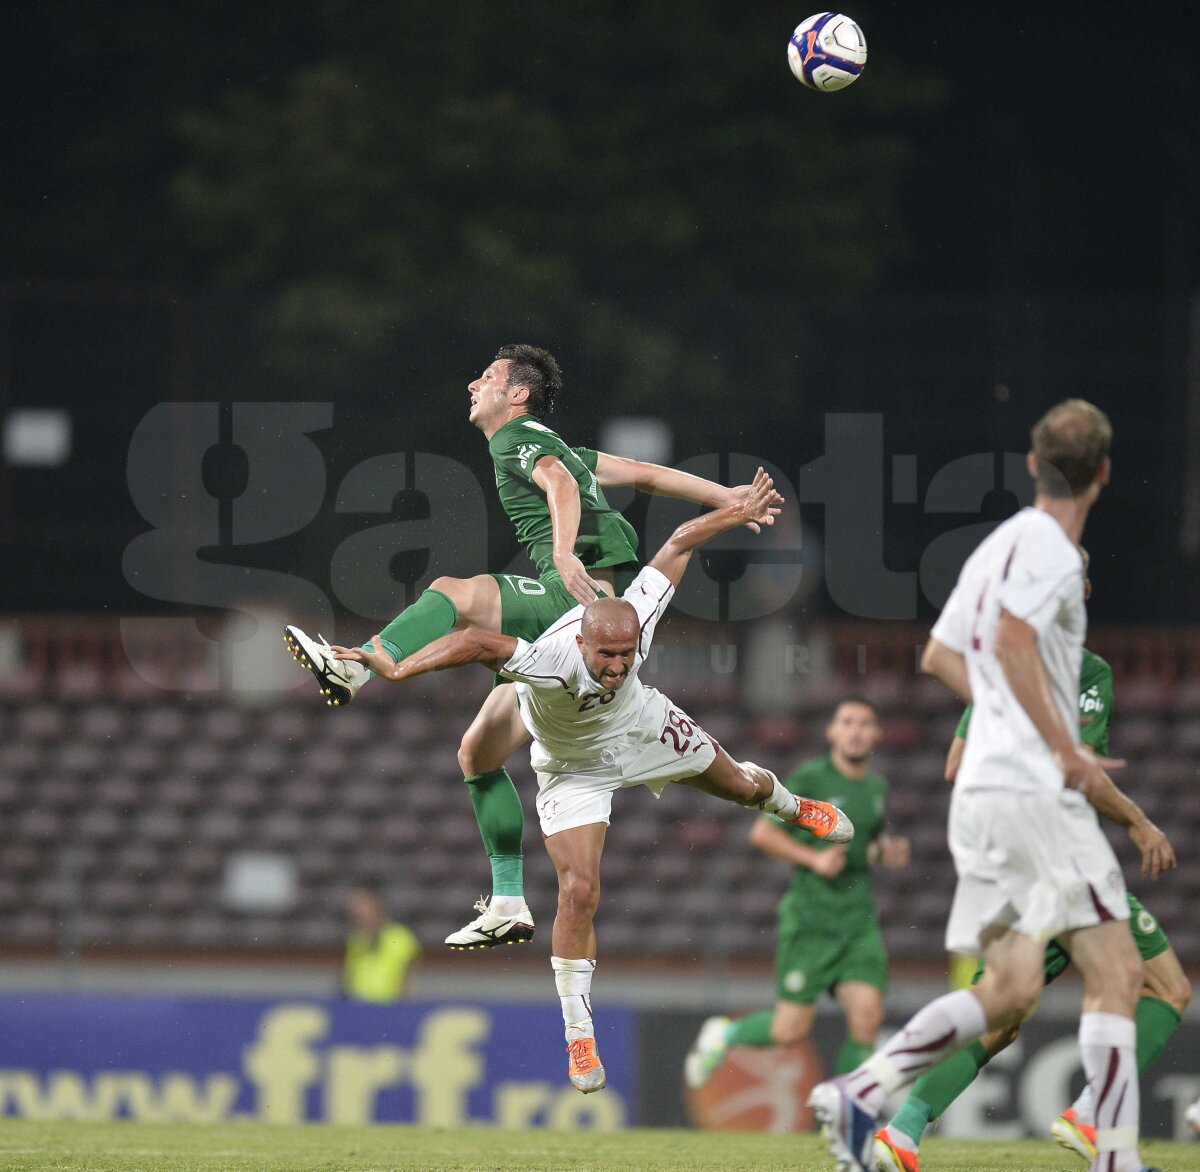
{"x": 1166, "y": 990}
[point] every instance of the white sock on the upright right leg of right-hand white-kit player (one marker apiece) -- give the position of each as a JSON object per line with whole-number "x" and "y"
{"x": 1108, "y": 1044}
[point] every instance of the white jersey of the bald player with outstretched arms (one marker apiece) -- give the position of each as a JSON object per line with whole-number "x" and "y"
{"x": 572, "y": 717}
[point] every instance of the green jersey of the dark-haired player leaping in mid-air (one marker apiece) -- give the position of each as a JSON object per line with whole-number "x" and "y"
{"x": 605, "y": 538}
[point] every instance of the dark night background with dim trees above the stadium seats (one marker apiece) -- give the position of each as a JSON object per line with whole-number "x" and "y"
{"x": 358, "y": 203}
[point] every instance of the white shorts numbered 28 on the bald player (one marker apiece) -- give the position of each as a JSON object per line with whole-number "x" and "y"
{"x": 665, "y": 746}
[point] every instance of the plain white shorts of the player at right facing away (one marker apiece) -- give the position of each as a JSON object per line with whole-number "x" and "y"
{"x": 1035, "y": 863}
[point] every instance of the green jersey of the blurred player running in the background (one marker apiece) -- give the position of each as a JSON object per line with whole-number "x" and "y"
{"x": 849, "y": 894}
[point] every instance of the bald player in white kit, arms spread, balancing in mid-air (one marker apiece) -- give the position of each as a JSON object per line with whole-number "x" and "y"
{"x": 597, "y": 729}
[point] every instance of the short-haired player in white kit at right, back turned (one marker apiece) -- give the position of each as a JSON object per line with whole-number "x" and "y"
{"x": 1031, "y": 860}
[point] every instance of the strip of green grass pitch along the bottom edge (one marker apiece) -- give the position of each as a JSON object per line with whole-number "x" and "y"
{"x": 256, "y": 1147}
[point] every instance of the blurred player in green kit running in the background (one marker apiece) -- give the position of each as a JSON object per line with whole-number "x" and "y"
{"x": 829, "y": 933}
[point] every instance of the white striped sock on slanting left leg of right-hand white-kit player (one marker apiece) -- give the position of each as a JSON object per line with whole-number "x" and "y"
{"x": 939, "y": 1030}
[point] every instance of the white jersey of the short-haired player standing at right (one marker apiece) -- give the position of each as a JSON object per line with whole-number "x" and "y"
{"x": 1029, "y": 568}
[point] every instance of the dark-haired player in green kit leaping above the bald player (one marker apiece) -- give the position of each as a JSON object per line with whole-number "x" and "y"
{"x": 554, "y": 495}
